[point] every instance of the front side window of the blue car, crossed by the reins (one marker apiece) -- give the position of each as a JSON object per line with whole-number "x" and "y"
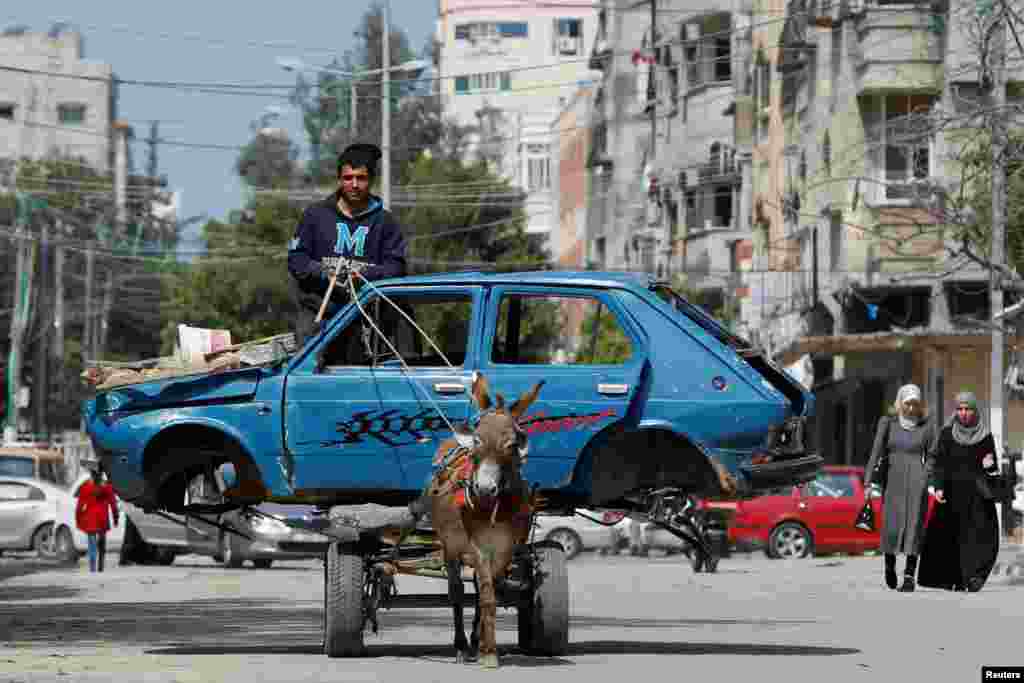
{"x": 445, "y": 318}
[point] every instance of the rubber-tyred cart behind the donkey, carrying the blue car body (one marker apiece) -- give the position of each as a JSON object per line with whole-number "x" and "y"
{"x": 362, "y": 564}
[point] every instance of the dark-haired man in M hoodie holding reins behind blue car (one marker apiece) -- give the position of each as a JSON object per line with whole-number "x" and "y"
{"x": 351, "y": 224}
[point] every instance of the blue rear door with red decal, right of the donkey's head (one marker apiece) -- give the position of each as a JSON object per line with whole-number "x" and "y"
{"x": 587, "y": 350}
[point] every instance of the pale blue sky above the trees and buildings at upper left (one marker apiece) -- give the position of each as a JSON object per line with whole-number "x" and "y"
{"x": 211, "y": 41}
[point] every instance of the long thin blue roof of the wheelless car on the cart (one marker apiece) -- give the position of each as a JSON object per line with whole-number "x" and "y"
{"x": 606, "y": 279}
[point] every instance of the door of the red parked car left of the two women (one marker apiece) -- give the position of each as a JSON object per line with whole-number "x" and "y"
{"x": 829, "y": 505}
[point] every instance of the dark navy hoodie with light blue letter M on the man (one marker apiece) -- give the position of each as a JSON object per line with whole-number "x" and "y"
{"x": 325, "y": 234}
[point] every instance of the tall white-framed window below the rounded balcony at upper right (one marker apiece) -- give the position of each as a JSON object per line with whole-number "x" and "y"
{"x": 906, "y": 143}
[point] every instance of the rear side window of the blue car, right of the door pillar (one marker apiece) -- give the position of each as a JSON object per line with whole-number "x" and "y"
{"x": 546, "y": 330}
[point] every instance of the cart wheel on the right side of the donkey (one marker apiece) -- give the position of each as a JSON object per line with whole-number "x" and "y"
{"x": 544, "y": 611}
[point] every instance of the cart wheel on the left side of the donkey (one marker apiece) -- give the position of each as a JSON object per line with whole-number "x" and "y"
{"x": 344, "y": 603}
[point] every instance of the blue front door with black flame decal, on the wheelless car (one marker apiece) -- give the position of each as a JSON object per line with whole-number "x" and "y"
{"x": 361, "y": 418}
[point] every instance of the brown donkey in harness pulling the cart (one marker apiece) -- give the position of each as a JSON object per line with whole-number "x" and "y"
{"x": 482, "y": 510}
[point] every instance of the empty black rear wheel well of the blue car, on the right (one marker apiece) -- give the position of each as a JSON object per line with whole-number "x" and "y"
{"x": 626, "y": 461}
